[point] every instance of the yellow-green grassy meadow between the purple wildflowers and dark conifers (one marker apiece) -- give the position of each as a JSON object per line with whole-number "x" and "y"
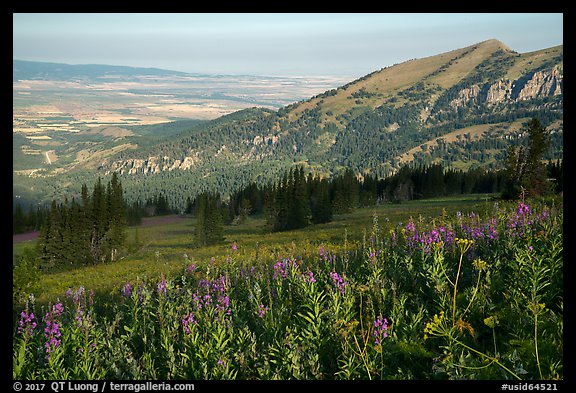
{"x": 165, "y": 246}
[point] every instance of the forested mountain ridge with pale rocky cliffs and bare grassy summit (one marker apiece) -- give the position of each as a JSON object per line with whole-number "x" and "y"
{"x": 462, "y": 108}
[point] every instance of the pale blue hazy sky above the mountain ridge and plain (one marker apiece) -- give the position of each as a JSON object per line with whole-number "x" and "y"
{"x": 270, "y": 44}
